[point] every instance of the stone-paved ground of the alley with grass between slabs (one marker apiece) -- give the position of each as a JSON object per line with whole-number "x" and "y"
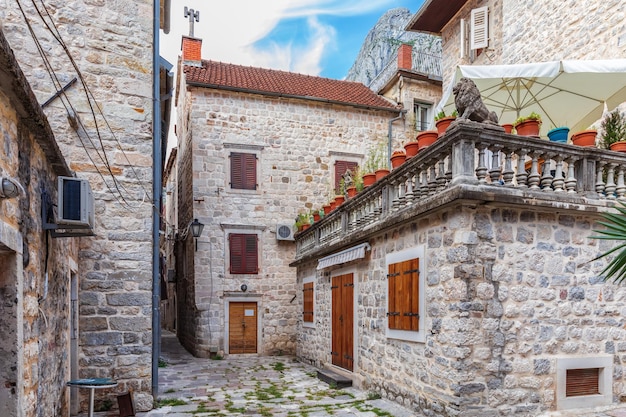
{"x": 277, "y": 386}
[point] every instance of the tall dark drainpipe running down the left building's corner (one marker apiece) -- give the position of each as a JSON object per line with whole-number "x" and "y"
{"x": 156, "y": 197}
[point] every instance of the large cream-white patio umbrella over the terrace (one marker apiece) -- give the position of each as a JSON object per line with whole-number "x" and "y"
{"x": 564, "y": 93}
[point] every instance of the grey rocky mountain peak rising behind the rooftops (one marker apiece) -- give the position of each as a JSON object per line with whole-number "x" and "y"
{"x": 382, "y": 42}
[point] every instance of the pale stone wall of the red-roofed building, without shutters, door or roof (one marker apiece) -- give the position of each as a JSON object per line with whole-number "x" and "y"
{"x": 297, "y": 142}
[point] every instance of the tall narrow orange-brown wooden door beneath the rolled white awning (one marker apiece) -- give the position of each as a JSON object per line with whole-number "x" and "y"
{"x": 343, "y": 321}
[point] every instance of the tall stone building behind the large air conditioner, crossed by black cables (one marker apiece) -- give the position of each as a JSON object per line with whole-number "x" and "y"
{"x": 93, "y": 67}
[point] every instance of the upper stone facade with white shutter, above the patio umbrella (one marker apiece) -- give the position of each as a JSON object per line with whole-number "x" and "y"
{"x": 527, "y": 31}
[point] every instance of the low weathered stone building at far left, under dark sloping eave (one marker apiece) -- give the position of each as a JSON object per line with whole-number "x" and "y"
{"x": 39, "y": 279}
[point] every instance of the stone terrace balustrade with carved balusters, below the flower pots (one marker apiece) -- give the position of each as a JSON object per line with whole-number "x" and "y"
{"x": 473, "y": 164}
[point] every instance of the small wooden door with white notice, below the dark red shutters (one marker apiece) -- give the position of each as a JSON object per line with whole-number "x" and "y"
{"x": 242, "y": 328}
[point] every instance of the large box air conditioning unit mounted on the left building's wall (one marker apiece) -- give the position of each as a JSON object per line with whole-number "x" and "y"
{"x": 75, "y": 203}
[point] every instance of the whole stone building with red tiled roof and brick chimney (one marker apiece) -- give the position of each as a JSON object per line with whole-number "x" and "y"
{"x": 292, "y": 136}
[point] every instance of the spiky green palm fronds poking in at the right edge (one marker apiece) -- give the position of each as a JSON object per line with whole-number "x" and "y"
{"x": 615, "y": 230}
